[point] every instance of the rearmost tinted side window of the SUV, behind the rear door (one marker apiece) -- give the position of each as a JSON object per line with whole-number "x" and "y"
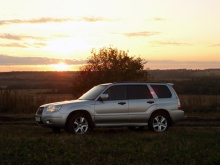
{"x": 162, "y": 91}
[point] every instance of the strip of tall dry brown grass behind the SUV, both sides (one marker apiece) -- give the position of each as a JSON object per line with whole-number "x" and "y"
{"x": 27, "y": 101}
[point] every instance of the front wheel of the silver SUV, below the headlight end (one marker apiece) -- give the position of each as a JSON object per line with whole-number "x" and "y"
{"x": 79, "y": 123}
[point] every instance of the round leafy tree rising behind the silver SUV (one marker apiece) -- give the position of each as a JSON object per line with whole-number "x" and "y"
{"x": 109, "y": 65}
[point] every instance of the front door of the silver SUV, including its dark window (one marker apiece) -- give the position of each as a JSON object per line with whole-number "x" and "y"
{"x": 114, "y": 110}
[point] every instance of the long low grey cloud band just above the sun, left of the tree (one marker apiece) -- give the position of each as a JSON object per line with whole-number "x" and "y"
{"x": 12, "y": 60}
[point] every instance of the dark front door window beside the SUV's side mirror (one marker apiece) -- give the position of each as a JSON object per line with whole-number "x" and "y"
{"x": 118, "y": 92}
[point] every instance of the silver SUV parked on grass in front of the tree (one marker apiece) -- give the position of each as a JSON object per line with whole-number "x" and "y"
{"x": 134, "y": 105}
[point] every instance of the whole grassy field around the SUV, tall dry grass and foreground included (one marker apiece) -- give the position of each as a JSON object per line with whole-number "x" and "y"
{"x": 23, "y": 142}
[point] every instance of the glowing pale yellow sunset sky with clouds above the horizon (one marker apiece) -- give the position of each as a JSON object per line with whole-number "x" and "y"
{"x": 59, "y": 35}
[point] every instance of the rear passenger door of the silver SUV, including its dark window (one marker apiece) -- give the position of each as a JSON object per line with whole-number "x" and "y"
{"x": 140, "y": 100}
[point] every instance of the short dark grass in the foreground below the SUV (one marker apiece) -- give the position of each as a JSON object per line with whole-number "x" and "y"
{"x": 31, "y": 144}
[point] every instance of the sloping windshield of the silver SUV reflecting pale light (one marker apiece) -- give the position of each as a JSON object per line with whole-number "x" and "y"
{"x": 93, "y": 93}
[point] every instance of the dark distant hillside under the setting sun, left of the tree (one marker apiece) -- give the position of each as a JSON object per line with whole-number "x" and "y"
{"x": 36, "y": 80}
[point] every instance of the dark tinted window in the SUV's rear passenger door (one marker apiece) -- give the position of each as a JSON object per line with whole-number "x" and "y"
{"x": 138, "y": 92}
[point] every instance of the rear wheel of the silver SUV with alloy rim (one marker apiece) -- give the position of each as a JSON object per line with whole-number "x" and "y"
{"x": 159, "y": 122}
